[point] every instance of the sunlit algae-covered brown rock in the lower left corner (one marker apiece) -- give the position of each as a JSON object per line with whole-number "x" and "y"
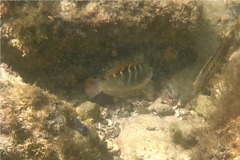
{"x": 36, "y": 124}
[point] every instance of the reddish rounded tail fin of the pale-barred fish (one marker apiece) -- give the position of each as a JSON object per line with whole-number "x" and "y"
{"x": 91, "y": 87}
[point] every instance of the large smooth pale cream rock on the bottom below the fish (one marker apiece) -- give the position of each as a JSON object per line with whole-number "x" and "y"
{"x": 148, "y": 137}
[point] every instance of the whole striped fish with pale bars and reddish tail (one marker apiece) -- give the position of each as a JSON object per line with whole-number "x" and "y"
{"x": 120, "y": 81}
